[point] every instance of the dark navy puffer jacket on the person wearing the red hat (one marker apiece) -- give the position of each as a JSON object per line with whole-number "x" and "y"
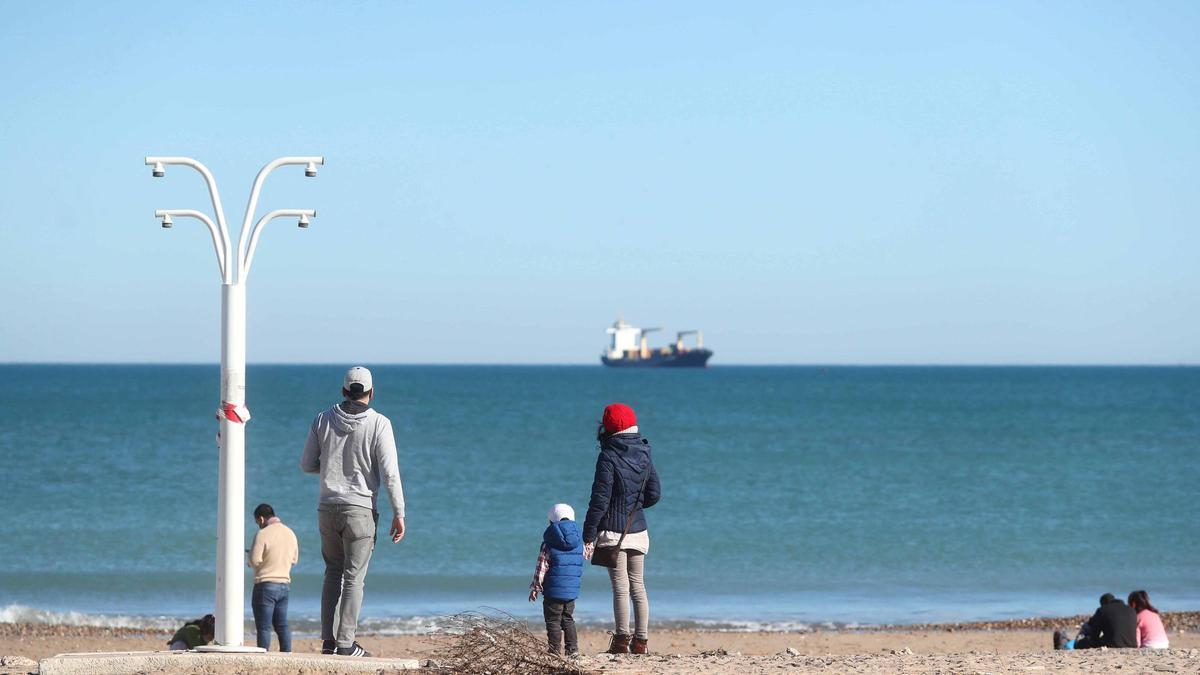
{"x": 625, "y": 461}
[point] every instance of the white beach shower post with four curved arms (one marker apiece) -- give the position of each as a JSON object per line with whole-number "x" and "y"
{"x": 235, "y": 268}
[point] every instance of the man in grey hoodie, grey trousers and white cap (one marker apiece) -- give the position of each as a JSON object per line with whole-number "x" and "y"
{"x": 353, "y": 450}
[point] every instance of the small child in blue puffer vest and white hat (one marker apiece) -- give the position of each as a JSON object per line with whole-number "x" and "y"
{"x": 557, "y": 578}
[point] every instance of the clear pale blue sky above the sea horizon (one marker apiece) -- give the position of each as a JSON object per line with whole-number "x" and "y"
{"x": 809, "y": 183}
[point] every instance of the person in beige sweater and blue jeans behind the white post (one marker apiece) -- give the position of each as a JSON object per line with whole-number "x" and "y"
{"x": 272, "y": 557}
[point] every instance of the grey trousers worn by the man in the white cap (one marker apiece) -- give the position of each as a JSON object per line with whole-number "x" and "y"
{"x": 347, "y": 540}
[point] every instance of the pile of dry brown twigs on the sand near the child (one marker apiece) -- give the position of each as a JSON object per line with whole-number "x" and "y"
{"x": 495, "y": 643}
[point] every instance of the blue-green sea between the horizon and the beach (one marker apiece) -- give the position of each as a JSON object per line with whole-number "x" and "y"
{"x": 791, "y": 497}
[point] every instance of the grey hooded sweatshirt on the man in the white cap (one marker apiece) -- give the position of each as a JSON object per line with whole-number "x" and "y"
{"x": 353, "y": 452}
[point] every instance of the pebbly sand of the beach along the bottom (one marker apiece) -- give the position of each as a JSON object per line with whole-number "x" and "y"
{"x": 1007, "y": 647}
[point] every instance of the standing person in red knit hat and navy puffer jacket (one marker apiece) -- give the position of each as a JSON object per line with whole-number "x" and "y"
{"x": 623, "y": 468}
